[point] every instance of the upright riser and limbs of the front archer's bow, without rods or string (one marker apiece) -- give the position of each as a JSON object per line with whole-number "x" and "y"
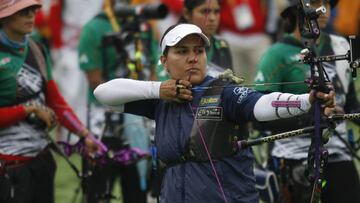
{"x": 318, "y": 154}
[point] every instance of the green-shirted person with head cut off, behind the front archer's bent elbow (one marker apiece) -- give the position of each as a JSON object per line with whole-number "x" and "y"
{"x": 114, "y": 45}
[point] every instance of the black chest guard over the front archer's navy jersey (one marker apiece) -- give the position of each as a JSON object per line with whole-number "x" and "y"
{"x": 220, "y": 134}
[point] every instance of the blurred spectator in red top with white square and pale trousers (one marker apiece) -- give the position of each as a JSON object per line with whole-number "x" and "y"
{"x": 246, "y": 25}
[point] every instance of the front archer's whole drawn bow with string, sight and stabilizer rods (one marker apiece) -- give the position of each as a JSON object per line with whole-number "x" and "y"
{"x": 319, "y": 81}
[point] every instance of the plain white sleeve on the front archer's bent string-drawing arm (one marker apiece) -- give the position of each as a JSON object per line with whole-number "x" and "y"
{"x": 120, "y": 91}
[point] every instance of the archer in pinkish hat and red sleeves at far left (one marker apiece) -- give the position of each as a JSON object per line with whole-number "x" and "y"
{"x": 30, "y": 105}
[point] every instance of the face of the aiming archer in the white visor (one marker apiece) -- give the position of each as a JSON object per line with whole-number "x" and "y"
{"x": 187, "y": 60}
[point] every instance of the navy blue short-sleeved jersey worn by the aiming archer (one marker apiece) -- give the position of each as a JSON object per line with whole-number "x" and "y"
{"x": 194, "y": 181}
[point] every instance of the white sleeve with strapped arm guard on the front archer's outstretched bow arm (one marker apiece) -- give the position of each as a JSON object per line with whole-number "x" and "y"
{"x": 267, "y": 108}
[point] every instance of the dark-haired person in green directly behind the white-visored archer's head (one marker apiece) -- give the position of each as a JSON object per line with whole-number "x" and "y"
{"x": 206, "y": 15}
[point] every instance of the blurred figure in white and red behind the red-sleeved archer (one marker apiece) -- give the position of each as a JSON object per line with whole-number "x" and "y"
{"x": 58, "y": 24}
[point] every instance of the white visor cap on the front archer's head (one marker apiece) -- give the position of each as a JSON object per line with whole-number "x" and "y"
{"x": 179, "y": 32}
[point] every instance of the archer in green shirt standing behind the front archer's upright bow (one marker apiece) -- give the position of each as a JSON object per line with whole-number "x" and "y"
{"x": 289, "y": 156}
